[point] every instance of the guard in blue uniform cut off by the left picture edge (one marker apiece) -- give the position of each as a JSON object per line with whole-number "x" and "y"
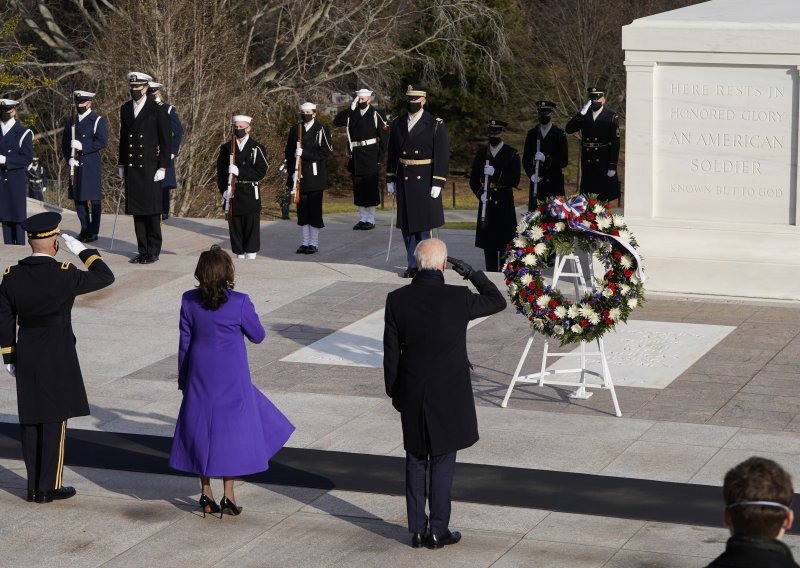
{"x": 16, "y": 154}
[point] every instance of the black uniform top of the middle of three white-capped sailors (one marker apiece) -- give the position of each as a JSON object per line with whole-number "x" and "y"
{"x": 316, "y": 149}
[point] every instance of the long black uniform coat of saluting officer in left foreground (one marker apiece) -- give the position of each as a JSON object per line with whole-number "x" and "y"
{"x": 37, "y": 294}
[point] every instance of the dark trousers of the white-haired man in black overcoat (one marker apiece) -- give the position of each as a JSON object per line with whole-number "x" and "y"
{"x": 438, "y": 495}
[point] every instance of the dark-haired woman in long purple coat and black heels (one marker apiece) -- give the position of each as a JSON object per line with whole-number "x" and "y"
{"x": 226, "y": 427}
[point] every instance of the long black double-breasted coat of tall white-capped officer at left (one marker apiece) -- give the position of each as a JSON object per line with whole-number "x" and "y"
{"x": 145, "y": 142}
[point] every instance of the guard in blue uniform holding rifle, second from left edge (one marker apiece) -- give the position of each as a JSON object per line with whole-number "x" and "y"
{"x": 91, "y": 136}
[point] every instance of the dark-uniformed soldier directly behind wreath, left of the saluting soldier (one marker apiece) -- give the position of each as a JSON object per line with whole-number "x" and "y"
{"x": 546, "y": 145}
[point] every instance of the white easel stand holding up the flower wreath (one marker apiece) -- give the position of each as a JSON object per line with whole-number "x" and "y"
{"x": 581, "y": 384}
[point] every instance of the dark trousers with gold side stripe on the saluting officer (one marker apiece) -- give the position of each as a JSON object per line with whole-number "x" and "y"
{"x": 43, "y": 452}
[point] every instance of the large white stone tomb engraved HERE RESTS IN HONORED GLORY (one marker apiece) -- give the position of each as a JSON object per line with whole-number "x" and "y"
{"x": 711, "y": 147}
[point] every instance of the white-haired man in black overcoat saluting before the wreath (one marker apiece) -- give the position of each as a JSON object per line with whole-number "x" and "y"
{"x": 426, "y": 371}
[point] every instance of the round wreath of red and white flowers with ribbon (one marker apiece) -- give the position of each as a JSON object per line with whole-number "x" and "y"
{"x": 560, "y": 226}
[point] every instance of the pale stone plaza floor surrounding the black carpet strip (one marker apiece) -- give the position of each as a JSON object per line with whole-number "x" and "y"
{"x": 703, "y": 383}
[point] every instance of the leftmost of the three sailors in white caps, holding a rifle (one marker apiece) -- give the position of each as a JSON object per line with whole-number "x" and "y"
{"x": 249, "y": 168}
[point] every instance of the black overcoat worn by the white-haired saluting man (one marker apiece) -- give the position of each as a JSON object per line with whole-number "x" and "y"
{"x": 425, "y": 365}
